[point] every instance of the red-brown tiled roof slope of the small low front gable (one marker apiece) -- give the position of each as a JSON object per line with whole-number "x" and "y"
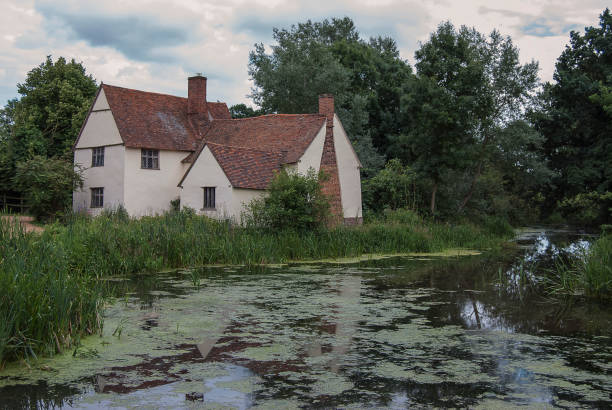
{"x": 245, "y": 167}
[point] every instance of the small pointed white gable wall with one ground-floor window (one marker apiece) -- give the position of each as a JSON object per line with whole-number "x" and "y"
{"x": 207, "y": 172}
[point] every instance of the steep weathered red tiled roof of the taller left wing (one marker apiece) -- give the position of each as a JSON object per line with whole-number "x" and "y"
{"x": 151, "y": 120}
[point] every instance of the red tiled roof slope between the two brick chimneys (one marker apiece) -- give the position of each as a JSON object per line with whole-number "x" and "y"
{"x": 288, "y": 133}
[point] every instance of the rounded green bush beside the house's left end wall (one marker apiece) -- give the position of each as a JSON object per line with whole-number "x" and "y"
{"x": 47, "y": 184}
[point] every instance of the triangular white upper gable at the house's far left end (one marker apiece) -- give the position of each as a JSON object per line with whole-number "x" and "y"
{"x": 100, "y": 128}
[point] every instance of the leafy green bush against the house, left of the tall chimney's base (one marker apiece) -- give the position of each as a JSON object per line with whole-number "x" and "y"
{"x": 293, "y": 202}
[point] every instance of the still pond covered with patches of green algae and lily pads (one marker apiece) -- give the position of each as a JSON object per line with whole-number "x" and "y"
{"x": 399, "y": 332}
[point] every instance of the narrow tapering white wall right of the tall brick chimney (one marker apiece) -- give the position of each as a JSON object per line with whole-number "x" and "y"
{"x": 348, "y": 170}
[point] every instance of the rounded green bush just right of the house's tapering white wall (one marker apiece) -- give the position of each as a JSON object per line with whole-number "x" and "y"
{"x": 394, "y": 187}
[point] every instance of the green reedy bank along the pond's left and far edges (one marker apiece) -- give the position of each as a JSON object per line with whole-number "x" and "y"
{"x": 50, "y": 289}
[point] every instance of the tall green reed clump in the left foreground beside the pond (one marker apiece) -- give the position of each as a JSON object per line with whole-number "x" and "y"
{"x": 44, "y": 305}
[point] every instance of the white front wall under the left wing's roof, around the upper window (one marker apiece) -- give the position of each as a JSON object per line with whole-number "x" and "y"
{"x": 149, "y": 191}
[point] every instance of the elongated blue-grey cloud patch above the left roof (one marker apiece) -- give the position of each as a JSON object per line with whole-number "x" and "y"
{"x": 137, "y": 37}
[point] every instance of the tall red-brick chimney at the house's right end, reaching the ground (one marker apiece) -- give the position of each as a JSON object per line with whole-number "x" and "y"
{"x": 329, "y": 163}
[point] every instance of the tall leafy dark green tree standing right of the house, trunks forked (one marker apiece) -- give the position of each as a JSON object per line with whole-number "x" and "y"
{"x": 469, "y": 86}
